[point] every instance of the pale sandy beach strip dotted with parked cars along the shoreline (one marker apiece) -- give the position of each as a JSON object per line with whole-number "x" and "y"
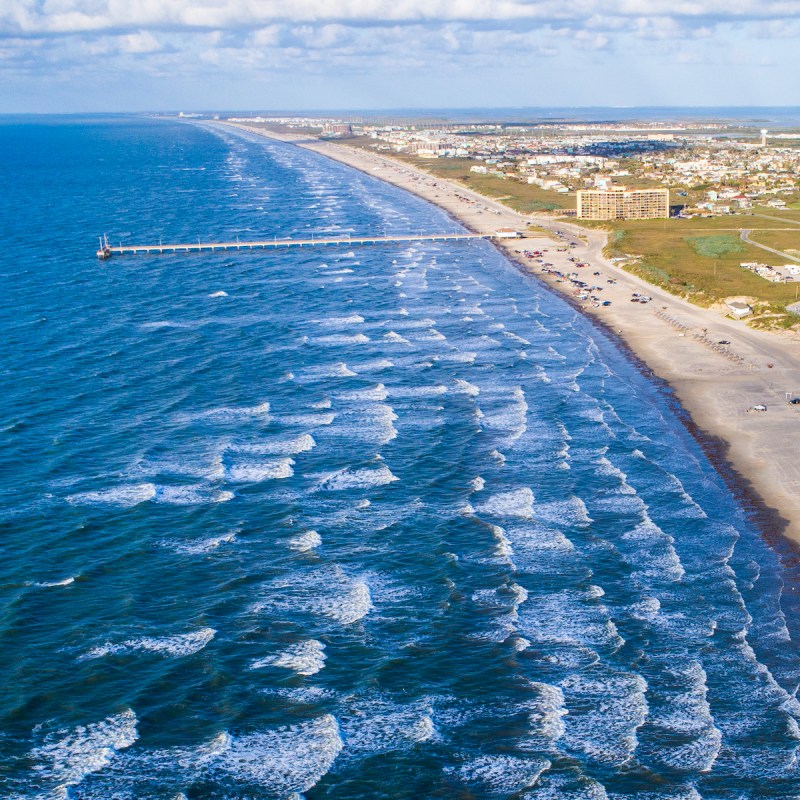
{"x": 715, "y": 383}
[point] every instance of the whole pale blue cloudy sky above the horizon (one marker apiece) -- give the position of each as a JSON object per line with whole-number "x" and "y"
{"x": 152, "y": 55}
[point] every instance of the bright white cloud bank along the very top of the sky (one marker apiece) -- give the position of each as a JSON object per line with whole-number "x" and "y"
{"x": 53, "y": 17}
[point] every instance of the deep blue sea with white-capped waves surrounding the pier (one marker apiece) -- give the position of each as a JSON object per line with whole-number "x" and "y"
{"x": 392, "y": 522}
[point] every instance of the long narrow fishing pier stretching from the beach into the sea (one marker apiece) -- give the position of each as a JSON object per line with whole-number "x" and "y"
{"x": 106, "y": 250}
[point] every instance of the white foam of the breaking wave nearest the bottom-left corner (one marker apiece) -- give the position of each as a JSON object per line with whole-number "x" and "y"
{"x": 67, "y": 757}
